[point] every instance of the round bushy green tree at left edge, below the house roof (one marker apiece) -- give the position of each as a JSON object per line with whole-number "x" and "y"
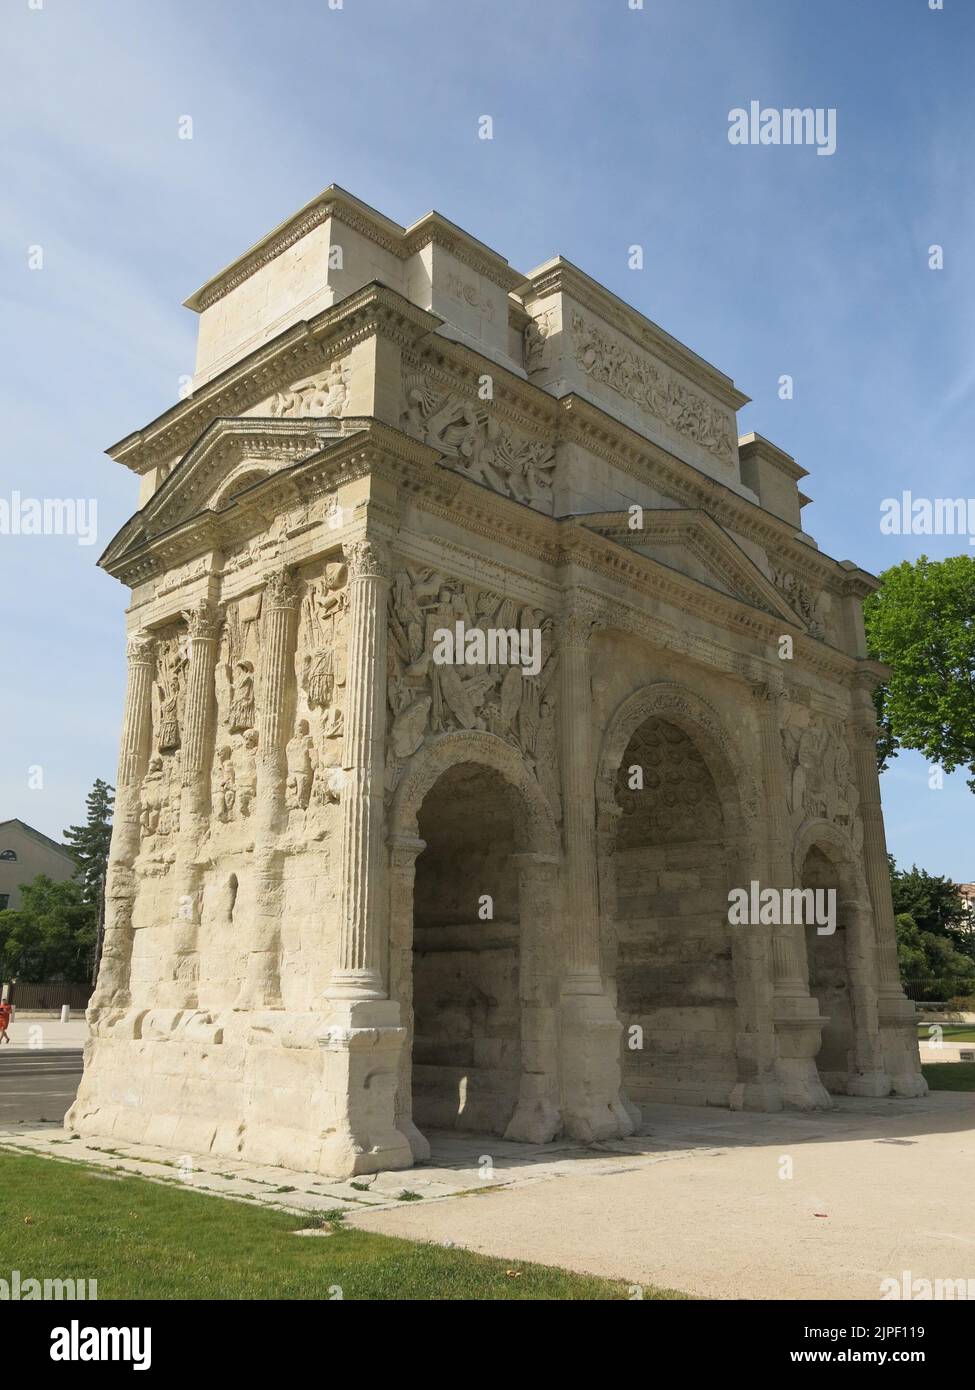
{"x": 52, "y": 935}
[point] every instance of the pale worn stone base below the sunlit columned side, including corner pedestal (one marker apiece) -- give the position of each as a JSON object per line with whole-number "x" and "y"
{"x": 293, "y": 1090}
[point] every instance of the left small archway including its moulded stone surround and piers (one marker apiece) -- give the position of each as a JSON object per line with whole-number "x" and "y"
{"x": 478, "y": 997}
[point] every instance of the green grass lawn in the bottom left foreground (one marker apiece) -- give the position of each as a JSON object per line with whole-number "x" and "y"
{"x": 148, "y": 1241}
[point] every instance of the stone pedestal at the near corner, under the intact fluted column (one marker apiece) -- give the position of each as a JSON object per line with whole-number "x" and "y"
{"x": 362, "y": 1042}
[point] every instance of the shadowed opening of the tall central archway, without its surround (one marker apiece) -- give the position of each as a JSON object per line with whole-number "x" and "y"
{"x": 674, "y": 946}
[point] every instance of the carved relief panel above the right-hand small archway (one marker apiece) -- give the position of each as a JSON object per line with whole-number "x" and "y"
{"x": 821, "y": 778}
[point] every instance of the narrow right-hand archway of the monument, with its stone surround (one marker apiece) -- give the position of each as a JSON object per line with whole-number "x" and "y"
{"x": 841, "y": 965}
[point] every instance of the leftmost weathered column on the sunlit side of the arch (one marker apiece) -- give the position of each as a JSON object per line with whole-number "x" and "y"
{"x": 113, "y": 988}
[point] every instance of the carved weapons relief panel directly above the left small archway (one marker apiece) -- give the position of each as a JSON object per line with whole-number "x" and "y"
{"x": 428, "y": 697}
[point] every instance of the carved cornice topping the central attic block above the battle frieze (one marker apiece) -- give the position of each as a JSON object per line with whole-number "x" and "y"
{"x": 561, "y": 276}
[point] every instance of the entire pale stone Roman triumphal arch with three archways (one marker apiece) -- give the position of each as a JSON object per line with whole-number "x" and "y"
{"x": 474, "y": 664}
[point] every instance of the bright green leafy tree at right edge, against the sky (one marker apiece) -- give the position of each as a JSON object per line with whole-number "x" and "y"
{"x": 921, "y": 622}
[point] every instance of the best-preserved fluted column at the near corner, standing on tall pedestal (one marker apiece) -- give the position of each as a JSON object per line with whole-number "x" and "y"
{"x": 358, "y": 974}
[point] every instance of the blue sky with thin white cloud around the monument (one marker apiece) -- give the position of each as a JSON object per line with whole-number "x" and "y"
{"x": 610, "y": 130}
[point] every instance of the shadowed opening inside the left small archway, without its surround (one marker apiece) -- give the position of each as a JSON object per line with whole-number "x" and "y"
{"x": 467, "y": 956}
